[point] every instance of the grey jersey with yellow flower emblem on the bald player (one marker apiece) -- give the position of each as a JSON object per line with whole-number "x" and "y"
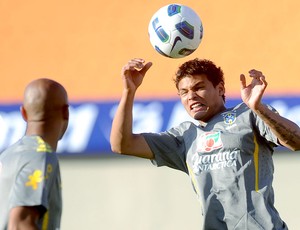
{"x": 30, "y": 176}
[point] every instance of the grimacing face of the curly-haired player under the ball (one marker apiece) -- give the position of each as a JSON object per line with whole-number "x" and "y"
{"x": 200, "y": 98}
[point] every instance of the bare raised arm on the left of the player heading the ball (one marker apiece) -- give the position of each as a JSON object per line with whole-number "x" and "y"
{"x": 122, "y": 139}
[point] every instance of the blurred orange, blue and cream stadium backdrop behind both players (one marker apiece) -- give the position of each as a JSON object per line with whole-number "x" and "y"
{"x": 84, "y": 44}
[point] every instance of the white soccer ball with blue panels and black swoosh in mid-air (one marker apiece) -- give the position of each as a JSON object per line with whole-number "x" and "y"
{"x": 175, "y": 31}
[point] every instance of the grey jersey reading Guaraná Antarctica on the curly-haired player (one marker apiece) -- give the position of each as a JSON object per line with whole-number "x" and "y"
{"x": 230, "y": 165}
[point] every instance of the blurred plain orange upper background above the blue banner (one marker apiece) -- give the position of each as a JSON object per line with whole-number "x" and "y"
{"x": 84, "y": 44}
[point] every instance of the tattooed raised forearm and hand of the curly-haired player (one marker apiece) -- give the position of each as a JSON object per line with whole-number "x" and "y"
{"x": 287, "y": 132}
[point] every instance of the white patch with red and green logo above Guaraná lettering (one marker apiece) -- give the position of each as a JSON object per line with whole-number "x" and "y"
{"x": 209, "y": 141}
